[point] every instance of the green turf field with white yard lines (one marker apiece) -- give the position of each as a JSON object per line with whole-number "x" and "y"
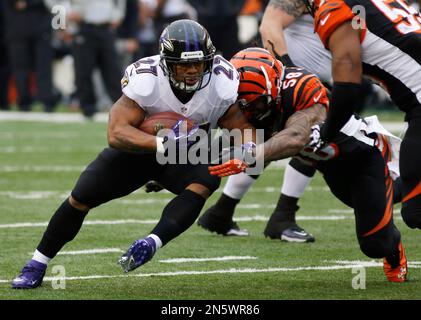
{"x": 39, "y": 164}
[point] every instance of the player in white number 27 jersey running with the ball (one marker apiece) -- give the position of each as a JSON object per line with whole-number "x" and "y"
{"x": 187, "y": 78}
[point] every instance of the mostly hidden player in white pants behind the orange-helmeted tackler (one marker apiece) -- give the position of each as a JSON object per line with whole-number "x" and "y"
{"x": 287, "y": 31}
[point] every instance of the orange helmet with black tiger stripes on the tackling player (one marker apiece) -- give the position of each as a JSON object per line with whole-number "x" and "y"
{"x": 261, "y": 77}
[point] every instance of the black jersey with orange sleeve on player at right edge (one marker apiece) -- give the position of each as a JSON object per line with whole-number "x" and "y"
{"x": 390, "y": 43}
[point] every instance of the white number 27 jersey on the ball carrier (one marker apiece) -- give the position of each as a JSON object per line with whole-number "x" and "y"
{"x": 146, "y": 83}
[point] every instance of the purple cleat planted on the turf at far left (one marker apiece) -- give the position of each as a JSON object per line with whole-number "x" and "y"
{"x": 31, "y": 276}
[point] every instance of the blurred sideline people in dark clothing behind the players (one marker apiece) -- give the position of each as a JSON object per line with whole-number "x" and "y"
{"x": 77, "y": 61}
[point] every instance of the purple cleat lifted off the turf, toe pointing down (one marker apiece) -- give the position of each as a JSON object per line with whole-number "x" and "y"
{"x": 140, "y": 252}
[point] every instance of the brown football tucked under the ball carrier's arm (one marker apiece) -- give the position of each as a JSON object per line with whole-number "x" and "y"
{"x": 163, "y": 120}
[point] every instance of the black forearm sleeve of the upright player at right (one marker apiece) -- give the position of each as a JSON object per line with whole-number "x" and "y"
{"x": 345, "y": 98}
